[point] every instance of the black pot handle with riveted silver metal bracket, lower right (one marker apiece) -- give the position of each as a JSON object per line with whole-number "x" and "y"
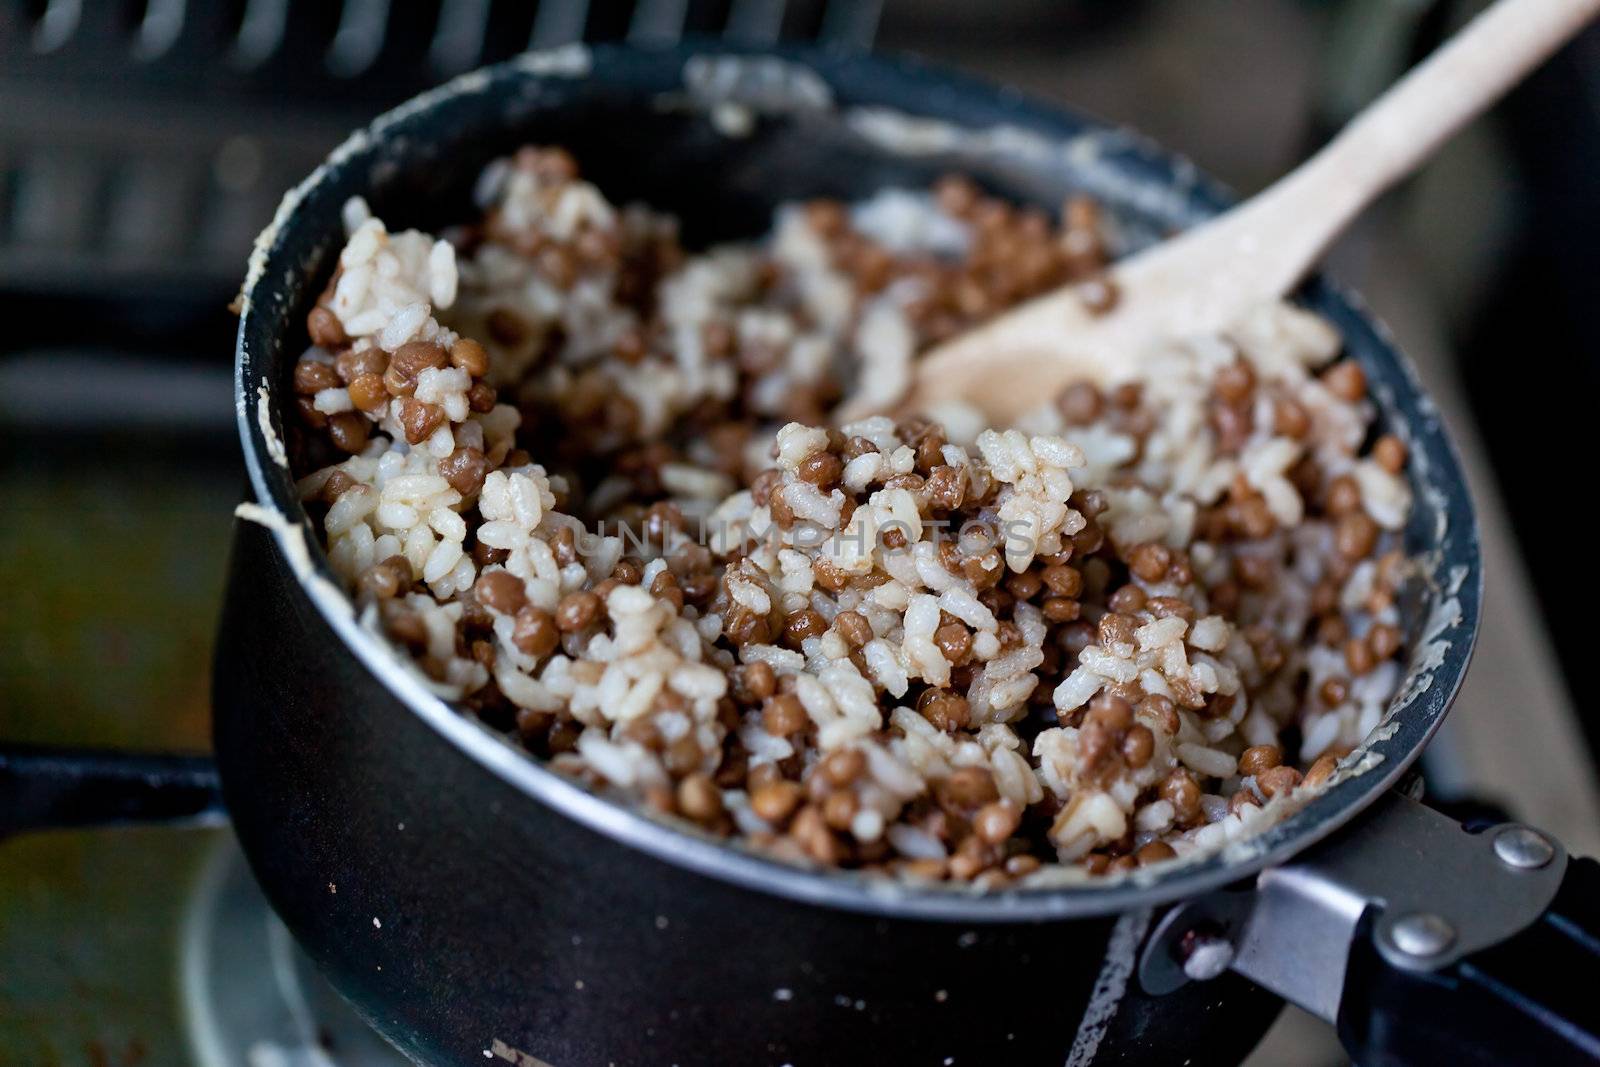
{"x": 1422, "y": 941}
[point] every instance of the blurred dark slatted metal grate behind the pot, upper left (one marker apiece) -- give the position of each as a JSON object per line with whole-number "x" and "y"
{"x": 143, "y": 145}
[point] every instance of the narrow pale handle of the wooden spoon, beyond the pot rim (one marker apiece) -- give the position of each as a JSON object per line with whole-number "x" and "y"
{"x": 1410, "y": 121}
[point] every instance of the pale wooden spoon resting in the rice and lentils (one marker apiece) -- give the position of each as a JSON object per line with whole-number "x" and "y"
{"x": 1209, "y": 278}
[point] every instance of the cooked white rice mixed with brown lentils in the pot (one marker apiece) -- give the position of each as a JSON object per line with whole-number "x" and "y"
{"x": 590, "y": 482}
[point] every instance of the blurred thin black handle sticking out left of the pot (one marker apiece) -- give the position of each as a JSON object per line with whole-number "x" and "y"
{"x": 52, "y": 789}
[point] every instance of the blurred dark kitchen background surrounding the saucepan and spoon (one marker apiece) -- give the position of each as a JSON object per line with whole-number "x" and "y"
{"x": 145, "y": 143}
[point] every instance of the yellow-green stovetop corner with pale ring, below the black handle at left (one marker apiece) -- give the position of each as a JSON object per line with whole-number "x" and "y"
{"x": 154, "y": 946}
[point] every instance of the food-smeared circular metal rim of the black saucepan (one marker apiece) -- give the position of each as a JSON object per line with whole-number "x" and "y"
{"x": 897, "y": 79}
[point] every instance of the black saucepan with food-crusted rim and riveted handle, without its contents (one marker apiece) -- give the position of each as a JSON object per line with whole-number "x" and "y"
{"x": 476, "y": 906}
